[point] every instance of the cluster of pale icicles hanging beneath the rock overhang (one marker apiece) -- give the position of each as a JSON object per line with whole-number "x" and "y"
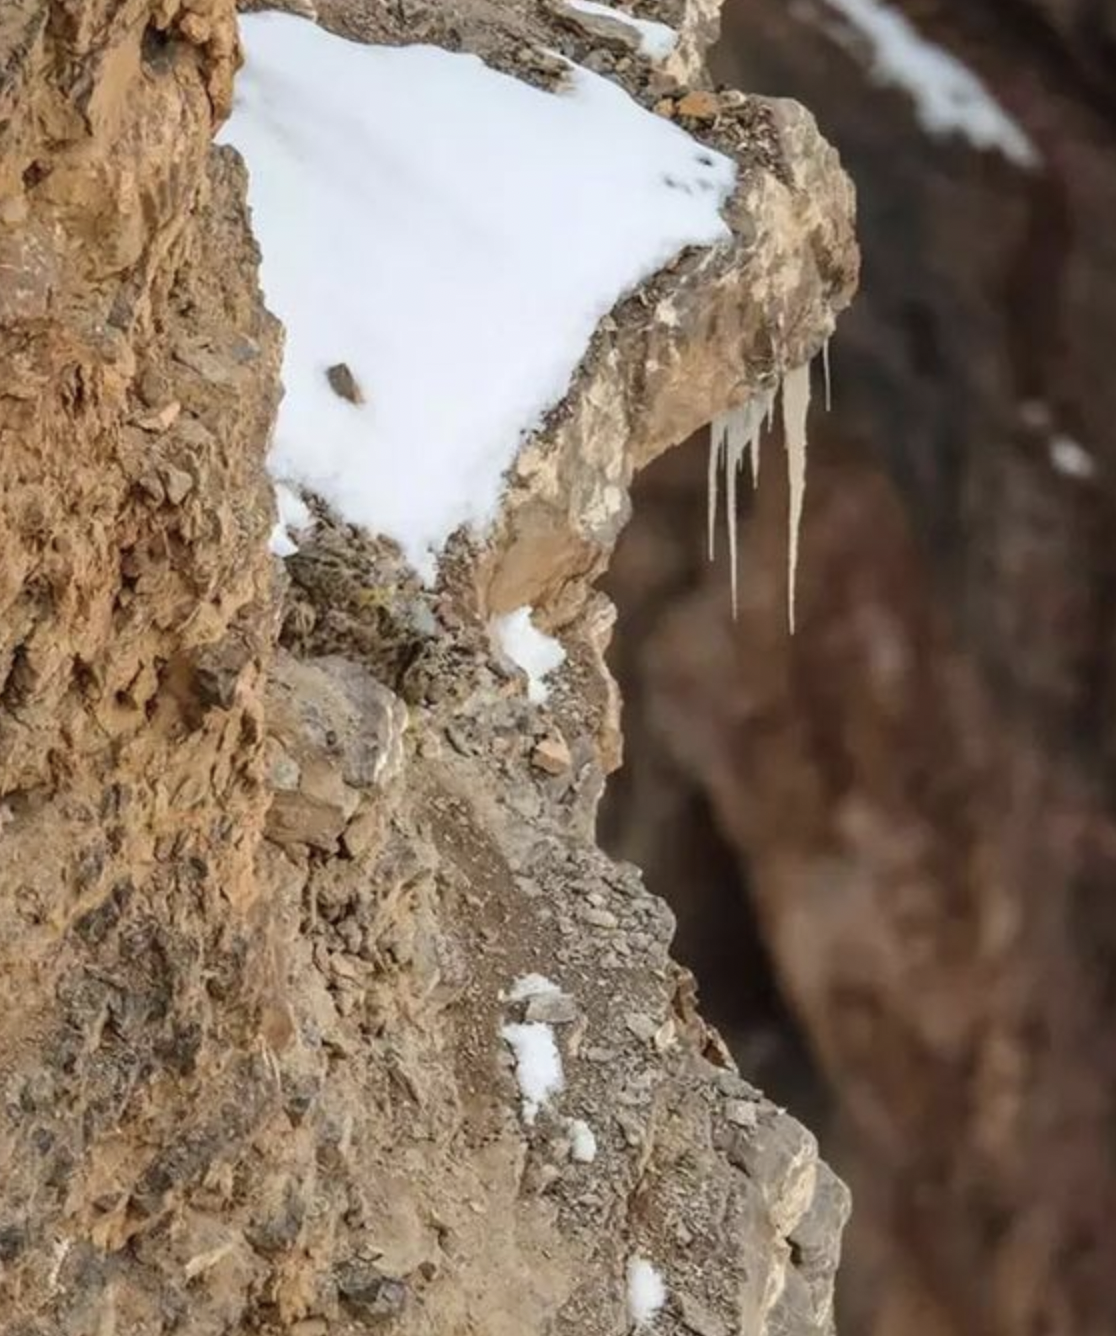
{"x": 736, "y": 435}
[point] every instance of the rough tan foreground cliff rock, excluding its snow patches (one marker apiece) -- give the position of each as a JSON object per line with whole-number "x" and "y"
{"x": 277, "y": 845}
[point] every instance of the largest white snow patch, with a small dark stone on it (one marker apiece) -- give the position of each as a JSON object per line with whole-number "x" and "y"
{"x": 452, "y": 236}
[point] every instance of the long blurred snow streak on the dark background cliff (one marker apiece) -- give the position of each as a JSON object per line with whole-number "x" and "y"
{"x": 950, "y": 100}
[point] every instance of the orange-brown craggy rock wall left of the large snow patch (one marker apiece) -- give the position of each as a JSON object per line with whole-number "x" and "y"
{"x": 138, "y": 384}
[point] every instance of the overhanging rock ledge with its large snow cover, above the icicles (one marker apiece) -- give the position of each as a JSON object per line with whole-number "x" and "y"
{"x": 696, "y": 340}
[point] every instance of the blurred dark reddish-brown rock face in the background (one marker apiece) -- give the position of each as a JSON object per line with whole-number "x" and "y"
{"x": 920, "y": 785}
